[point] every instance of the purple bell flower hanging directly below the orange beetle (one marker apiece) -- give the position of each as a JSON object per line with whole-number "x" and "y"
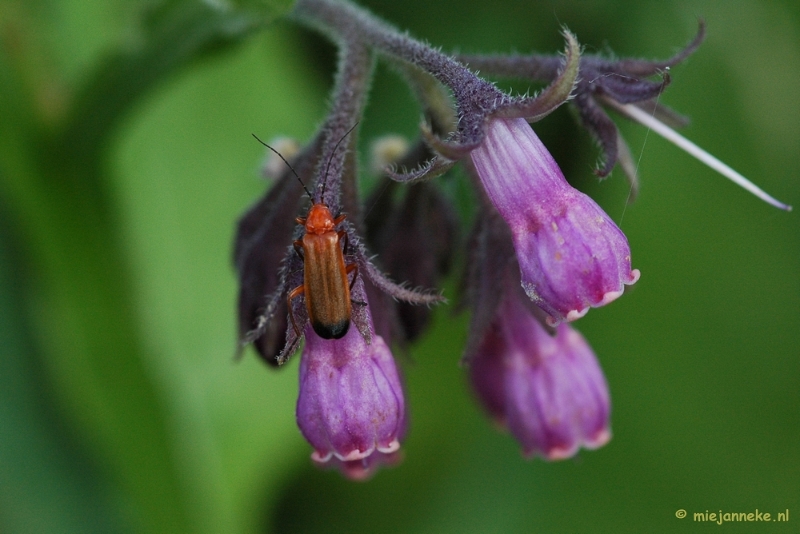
{"x": 351, "y": 407}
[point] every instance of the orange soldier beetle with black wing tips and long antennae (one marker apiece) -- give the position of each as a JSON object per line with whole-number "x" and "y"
{"x": 325, "y": 276}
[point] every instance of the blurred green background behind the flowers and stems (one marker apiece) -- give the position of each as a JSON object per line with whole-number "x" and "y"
{"x": 126, "y": 157}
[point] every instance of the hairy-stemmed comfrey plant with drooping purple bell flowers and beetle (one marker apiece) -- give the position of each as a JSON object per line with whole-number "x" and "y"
{"x": 540, "y": 255}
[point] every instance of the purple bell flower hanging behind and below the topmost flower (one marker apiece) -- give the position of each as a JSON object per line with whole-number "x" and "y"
{"x": 549, "y": 391}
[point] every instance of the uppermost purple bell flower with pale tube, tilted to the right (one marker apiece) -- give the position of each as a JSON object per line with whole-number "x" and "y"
{"x": 571, "y": 254}
